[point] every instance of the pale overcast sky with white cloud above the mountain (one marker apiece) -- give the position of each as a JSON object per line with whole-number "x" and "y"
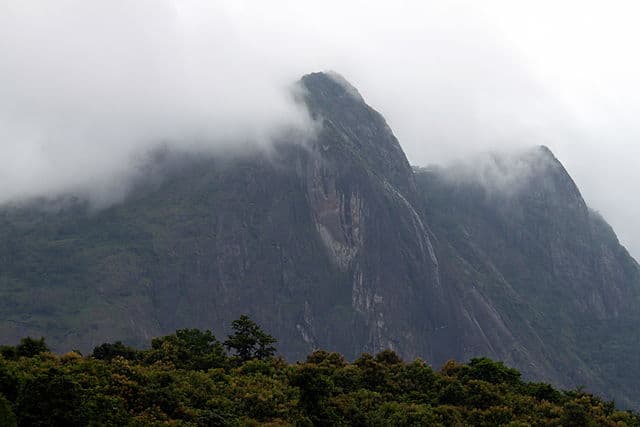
{"x": 87, "y": 86}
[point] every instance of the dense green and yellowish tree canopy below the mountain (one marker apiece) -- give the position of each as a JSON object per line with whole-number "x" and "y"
{"x": 188, "y": 378}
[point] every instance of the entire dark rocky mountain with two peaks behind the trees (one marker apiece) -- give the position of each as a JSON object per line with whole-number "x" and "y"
{"x": 339, "y": 244}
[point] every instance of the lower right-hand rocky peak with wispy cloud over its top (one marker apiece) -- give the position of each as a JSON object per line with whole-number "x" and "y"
{"x": 546, "y": 261}
